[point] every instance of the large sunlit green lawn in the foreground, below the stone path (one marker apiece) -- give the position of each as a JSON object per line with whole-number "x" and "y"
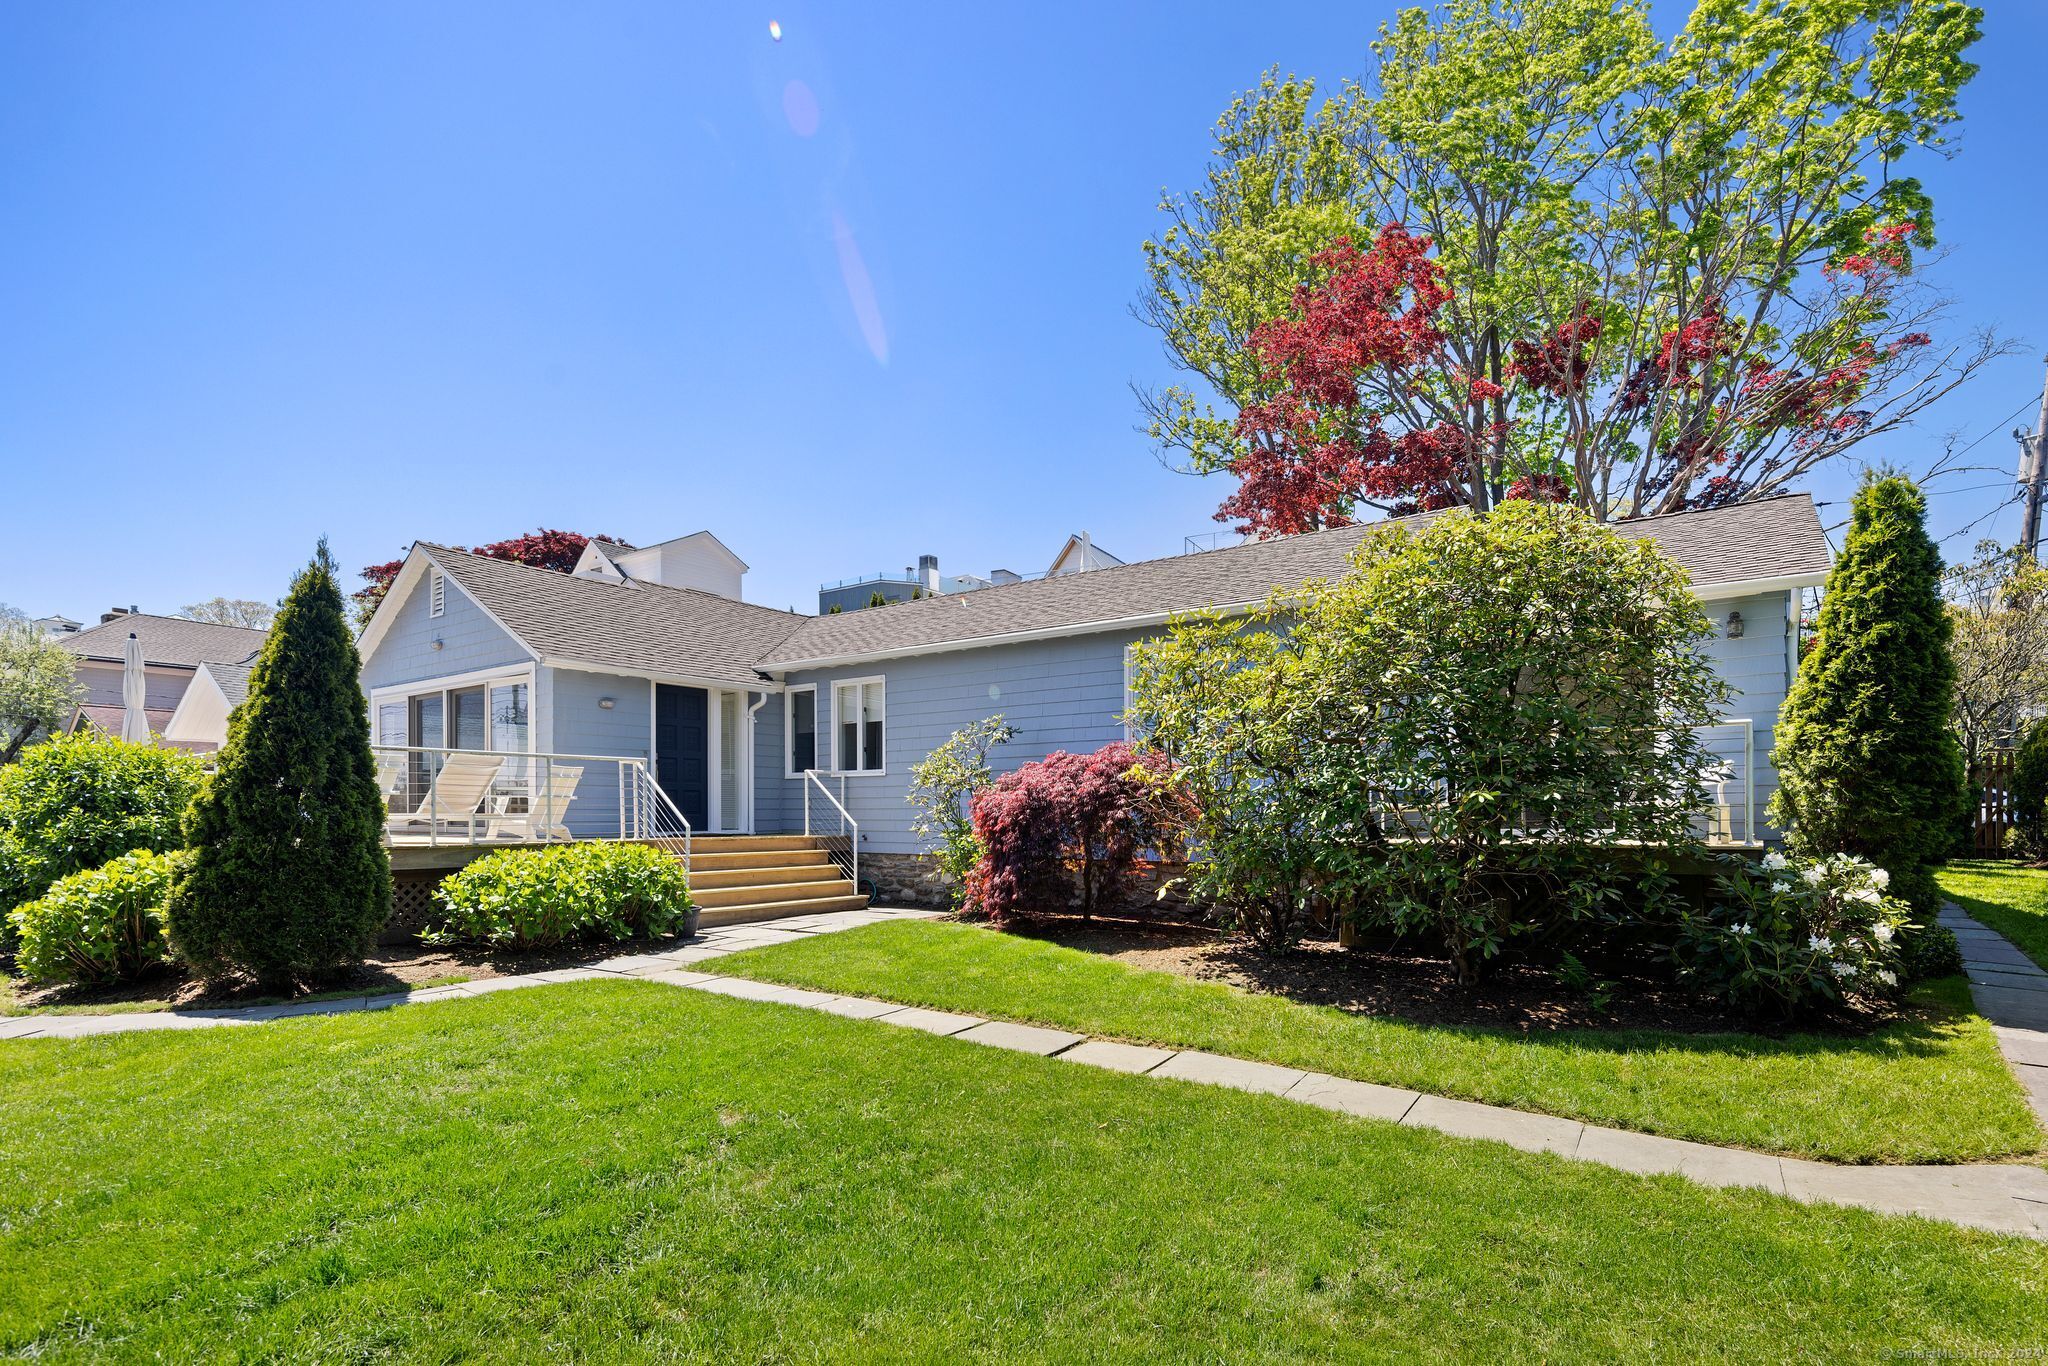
{"x": 607, "y": 1170}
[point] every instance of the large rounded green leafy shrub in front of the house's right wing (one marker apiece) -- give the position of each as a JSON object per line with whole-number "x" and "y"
{"x": 1449, "y": 740}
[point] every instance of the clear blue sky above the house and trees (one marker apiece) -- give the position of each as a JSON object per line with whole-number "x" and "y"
{"x": 456, "y": 271}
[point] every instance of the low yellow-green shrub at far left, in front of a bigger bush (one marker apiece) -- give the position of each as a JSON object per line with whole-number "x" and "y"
{"x": 103, "y": 925}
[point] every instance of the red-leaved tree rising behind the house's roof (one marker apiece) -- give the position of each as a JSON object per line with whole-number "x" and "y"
{"x": 1363, "y": 407}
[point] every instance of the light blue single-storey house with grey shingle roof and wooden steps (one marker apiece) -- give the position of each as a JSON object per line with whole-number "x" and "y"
{"x": 753, "y": 722}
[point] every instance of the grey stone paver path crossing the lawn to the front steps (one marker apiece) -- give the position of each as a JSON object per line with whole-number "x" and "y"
{"x": 2002, "y": 1197}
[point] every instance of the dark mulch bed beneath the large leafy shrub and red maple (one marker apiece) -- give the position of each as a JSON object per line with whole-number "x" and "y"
{"x": 1404, "y": 984}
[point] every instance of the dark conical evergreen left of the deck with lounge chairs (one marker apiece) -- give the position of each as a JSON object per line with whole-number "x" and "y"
{"x": 290, "y": 878}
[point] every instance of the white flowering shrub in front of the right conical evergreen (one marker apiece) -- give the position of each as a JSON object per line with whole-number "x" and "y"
{"x": 1793, "y": 939}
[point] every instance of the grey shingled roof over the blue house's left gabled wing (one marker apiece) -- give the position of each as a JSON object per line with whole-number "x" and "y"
{"x": 648, "y": 630}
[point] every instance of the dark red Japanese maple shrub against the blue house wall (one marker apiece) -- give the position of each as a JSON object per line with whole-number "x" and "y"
{"x": 1072, "y": 826}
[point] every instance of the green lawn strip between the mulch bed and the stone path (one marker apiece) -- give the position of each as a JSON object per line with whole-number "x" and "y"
{"x": 1930, "y": 1088}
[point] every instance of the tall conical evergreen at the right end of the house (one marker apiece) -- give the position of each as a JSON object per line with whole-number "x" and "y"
{"x": 1867, "y": 759}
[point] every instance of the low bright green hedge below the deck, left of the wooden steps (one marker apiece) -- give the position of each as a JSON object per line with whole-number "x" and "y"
{"x": 562, "y": 894}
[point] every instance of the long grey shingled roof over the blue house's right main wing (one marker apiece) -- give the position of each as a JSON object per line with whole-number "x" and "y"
{"x": 1773, "y": 542}
